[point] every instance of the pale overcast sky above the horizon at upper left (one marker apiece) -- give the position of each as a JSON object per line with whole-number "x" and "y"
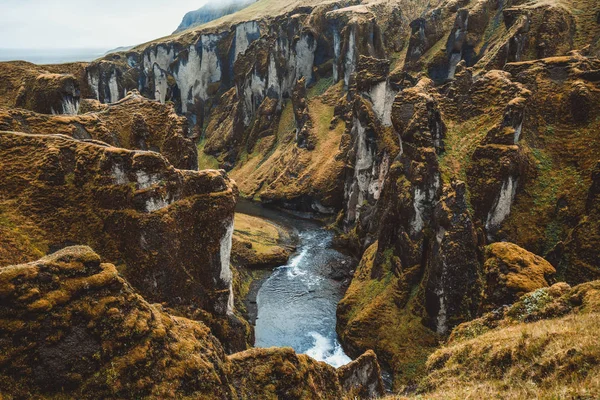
{"x": 103, "y": 24}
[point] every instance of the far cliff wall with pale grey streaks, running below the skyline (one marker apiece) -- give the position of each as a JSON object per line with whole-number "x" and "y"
{"x": 234, "y": 79}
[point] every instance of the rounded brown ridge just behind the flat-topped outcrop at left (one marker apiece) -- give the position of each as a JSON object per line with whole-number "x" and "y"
{"x": 133, "y": 123}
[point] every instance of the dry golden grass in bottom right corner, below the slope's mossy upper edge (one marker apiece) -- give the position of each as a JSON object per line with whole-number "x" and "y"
{"x": 552, "y": 359}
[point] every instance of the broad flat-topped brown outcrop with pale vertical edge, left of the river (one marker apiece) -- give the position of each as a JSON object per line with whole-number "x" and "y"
{"x": 168, "y": 230}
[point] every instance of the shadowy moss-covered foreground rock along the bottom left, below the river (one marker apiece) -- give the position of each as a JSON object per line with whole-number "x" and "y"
{"x": 72, "y": 326}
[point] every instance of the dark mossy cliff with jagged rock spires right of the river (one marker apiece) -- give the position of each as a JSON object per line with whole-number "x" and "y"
{"x": 491, "y": 130}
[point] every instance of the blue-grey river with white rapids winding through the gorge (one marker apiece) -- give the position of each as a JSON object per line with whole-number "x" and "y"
{"x": 297, "y": 303}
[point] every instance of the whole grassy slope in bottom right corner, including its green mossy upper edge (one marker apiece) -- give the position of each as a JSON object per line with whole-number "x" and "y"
{"x": 545, "y": 347}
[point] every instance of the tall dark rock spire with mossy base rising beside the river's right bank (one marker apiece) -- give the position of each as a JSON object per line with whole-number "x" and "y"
{"x": 416, "y": 272}
